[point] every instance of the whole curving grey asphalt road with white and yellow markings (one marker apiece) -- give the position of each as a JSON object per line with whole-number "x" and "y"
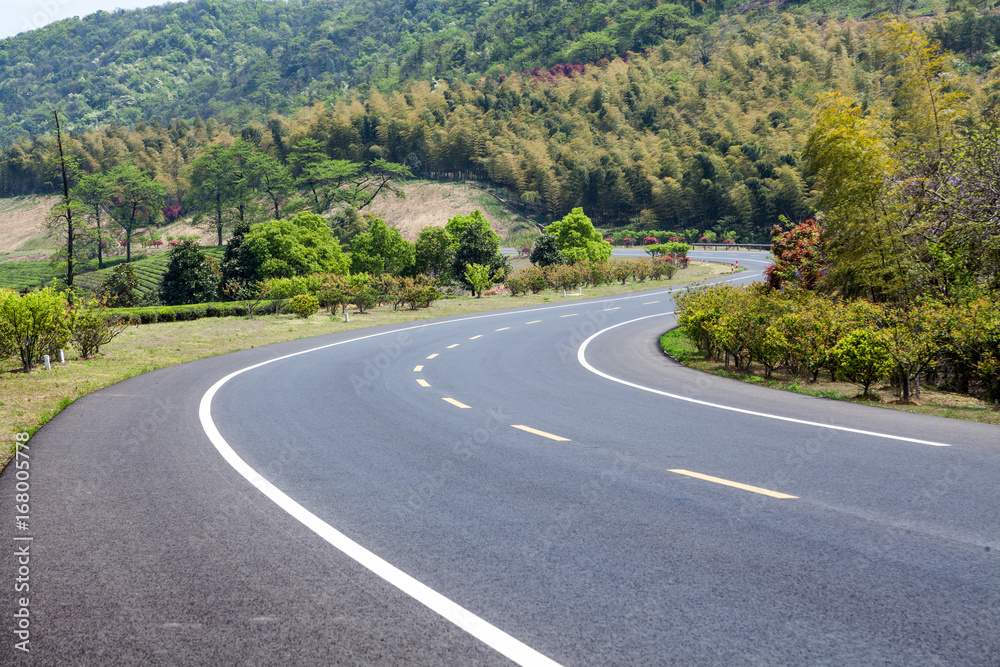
{"x": 428, "y": 516}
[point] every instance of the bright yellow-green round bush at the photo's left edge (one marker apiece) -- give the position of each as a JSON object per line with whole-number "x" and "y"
{"x": 33, "y": 324}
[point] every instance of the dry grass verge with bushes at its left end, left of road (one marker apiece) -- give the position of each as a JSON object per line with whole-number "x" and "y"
{"x": 29, "y": 399}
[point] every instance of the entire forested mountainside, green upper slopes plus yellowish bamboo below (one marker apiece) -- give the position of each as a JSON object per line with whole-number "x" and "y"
{"x": 686, "y": 117}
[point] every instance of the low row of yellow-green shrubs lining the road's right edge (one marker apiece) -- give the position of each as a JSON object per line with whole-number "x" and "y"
{"x": 953, "y": 345}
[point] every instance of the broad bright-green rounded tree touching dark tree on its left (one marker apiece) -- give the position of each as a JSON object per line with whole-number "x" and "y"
{"x": 300, "y": 246}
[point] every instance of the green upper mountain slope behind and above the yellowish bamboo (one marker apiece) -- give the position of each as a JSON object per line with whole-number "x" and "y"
{"x": 241, "y": 59}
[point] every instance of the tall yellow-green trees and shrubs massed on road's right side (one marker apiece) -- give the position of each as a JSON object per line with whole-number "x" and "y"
{"x": 895, "y": 287}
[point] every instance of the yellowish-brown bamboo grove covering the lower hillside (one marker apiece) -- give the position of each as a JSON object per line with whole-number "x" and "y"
{"x": 701, "y": 133}
